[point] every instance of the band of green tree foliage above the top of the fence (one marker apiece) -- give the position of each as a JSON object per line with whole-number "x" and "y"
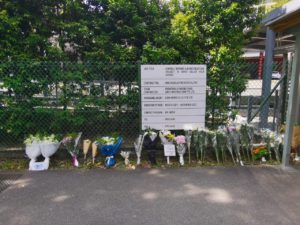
{"x": 120, "y": 30}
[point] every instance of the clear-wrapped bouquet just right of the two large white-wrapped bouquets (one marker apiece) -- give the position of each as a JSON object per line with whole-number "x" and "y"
{"x": 70, "y": 142}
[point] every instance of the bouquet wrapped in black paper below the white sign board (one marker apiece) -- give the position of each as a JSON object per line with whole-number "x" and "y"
{"x": 149, "y": 143}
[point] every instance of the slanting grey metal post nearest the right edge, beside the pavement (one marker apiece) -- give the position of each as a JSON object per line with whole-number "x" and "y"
{"x": 292, "y": 105}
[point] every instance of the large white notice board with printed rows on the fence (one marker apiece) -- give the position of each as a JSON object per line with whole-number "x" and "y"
{"x": 173, "y": 96}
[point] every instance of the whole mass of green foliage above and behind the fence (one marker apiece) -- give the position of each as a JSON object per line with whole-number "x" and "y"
{"x": 119, "y": 31}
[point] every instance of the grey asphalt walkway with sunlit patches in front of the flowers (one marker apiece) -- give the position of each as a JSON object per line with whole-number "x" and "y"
{"x": 229, "y": 196}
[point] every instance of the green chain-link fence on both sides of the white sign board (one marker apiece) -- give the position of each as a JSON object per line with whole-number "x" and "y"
{"x": 101, "y": 98}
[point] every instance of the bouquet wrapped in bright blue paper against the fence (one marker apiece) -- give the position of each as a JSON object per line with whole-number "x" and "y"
{"x": 109, "y": 147}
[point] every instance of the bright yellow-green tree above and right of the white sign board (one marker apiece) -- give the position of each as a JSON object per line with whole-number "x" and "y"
{"x": 214, "y": 33}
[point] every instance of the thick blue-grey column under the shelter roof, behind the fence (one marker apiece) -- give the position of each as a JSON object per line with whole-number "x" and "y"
{"x": 267, "y": 77}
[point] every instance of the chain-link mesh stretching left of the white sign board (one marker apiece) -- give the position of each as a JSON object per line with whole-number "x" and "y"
{"x": 60, "y": 97}
